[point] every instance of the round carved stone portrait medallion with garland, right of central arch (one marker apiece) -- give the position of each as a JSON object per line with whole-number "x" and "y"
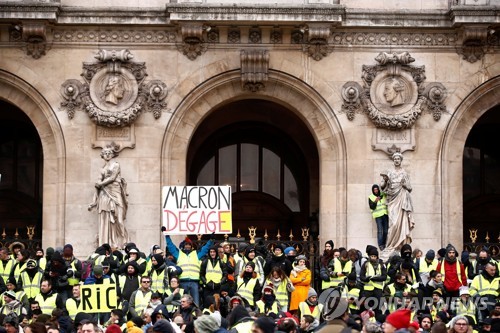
{"x": 393, "y": 95}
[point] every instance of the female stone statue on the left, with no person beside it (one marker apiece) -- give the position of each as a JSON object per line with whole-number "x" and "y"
{"x": 110, "y": 199}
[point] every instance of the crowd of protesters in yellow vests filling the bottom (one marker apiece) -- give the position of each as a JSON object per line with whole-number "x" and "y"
{"x": 255, "y": 289}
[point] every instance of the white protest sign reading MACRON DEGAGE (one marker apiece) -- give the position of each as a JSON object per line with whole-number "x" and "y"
{"x": 197, "y": 209}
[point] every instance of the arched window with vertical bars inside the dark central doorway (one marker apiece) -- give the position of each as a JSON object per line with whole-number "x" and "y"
{"x": 252, "y": 167}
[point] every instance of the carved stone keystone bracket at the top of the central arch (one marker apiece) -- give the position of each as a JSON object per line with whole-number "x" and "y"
{"x": 254, "y": 69}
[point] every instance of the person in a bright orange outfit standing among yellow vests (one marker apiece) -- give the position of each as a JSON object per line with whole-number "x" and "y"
{"x": 301, "y": 280}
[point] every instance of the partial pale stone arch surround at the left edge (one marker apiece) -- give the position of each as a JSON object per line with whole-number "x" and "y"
{"x": 20, "y": 93}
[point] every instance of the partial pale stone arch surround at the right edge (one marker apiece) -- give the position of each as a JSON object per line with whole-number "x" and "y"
{"x": 478, "y": 102}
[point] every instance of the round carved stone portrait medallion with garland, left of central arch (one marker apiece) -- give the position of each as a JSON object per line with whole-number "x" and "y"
{"x": 114, "y": 92}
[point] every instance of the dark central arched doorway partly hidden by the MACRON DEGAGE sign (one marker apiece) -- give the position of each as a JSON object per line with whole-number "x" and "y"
{"x": 268, "y": 156}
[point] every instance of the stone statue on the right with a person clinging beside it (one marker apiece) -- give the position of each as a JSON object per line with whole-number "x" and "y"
{"x": 396, "y": 184}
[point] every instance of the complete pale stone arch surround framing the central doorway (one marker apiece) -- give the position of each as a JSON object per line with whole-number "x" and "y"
{"x": 290, "y": 92}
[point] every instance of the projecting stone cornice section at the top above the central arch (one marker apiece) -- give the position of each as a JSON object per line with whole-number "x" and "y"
{"x": 260, "y": 13}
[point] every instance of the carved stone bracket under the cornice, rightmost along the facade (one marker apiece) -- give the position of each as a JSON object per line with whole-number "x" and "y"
{"x": 474, "y": 42}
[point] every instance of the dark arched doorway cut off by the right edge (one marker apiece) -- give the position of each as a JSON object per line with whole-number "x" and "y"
{"x": 481, "y": 178}
